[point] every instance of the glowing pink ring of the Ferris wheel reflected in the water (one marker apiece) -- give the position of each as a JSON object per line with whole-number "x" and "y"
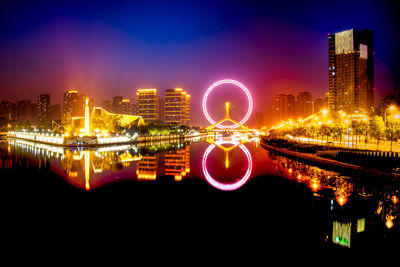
{"x": 222, "y": 186}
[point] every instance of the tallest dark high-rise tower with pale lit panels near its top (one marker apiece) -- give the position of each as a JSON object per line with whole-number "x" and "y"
{"x": 351, "y": 71}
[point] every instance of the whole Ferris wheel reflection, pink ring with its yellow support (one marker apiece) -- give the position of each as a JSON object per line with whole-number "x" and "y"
{"x": 234, "y": 144}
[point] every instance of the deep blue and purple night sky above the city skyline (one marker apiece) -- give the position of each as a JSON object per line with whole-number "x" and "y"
{"x": 107, "y": 49}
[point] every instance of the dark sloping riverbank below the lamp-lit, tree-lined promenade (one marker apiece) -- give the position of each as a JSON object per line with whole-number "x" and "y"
{"x": 327, "y": 163}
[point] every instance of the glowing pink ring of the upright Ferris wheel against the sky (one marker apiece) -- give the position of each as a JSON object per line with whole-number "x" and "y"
{"x": 245, "y": 90}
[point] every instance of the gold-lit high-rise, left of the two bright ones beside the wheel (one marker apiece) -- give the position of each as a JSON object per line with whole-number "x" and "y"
{"x": 147, "y": 104}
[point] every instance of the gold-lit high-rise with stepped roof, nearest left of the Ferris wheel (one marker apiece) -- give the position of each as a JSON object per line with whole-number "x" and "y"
{"x": 177, "y": 107}
